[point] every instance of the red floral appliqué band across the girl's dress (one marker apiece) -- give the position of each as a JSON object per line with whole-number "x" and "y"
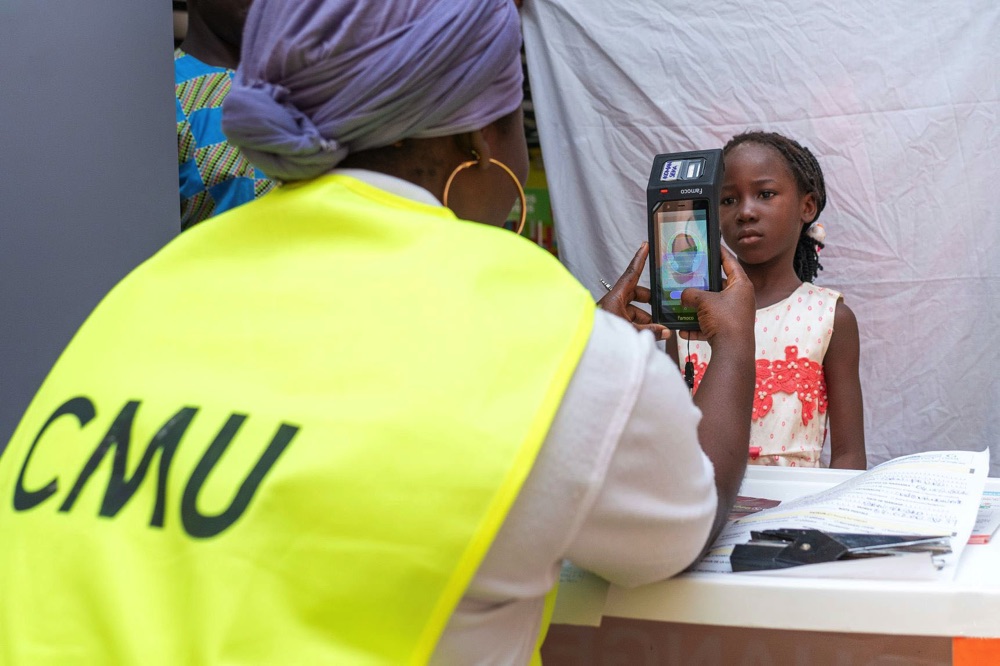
{"x": 795, "y": 374}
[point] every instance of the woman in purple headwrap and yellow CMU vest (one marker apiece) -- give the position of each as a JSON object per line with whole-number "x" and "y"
{"x": 341, "y": 424}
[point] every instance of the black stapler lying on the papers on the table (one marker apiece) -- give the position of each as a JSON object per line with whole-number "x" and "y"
{"x": 783, "y": 548}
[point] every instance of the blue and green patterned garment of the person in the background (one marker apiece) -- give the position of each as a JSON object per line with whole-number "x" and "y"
{"x": 214, "y": 176}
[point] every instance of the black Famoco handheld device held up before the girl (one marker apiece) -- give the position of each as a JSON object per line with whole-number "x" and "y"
{"x": 683, "y": 232}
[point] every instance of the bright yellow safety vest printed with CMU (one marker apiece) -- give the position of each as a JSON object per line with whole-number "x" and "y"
{"x": 290, "y": 437}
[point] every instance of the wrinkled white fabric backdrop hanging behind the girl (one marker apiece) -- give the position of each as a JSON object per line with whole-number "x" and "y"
{"x": 898, "y": 99}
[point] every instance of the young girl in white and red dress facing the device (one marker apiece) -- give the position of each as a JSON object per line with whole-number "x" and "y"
{"x": 807, "y": 338}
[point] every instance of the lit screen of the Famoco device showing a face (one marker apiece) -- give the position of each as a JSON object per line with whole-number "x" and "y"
{"x": 682, "y": 252}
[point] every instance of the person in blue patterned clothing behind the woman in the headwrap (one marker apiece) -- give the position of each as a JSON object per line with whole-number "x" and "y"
{"x": 214, "y": 176}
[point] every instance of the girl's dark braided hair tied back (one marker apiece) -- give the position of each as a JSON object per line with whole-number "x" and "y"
{"x": 809, "y": 177}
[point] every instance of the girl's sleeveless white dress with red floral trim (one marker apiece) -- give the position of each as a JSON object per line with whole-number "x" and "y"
{"x": 789, "y": 405}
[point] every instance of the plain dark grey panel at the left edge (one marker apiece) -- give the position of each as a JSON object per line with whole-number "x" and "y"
{"x": 88, "y": 175}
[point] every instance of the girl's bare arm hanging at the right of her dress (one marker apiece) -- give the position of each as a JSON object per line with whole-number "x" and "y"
{"x": 843, "y": 386}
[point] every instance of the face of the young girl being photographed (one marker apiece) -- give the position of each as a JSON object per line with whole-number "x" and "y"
{"x": 762, "y": 209}
